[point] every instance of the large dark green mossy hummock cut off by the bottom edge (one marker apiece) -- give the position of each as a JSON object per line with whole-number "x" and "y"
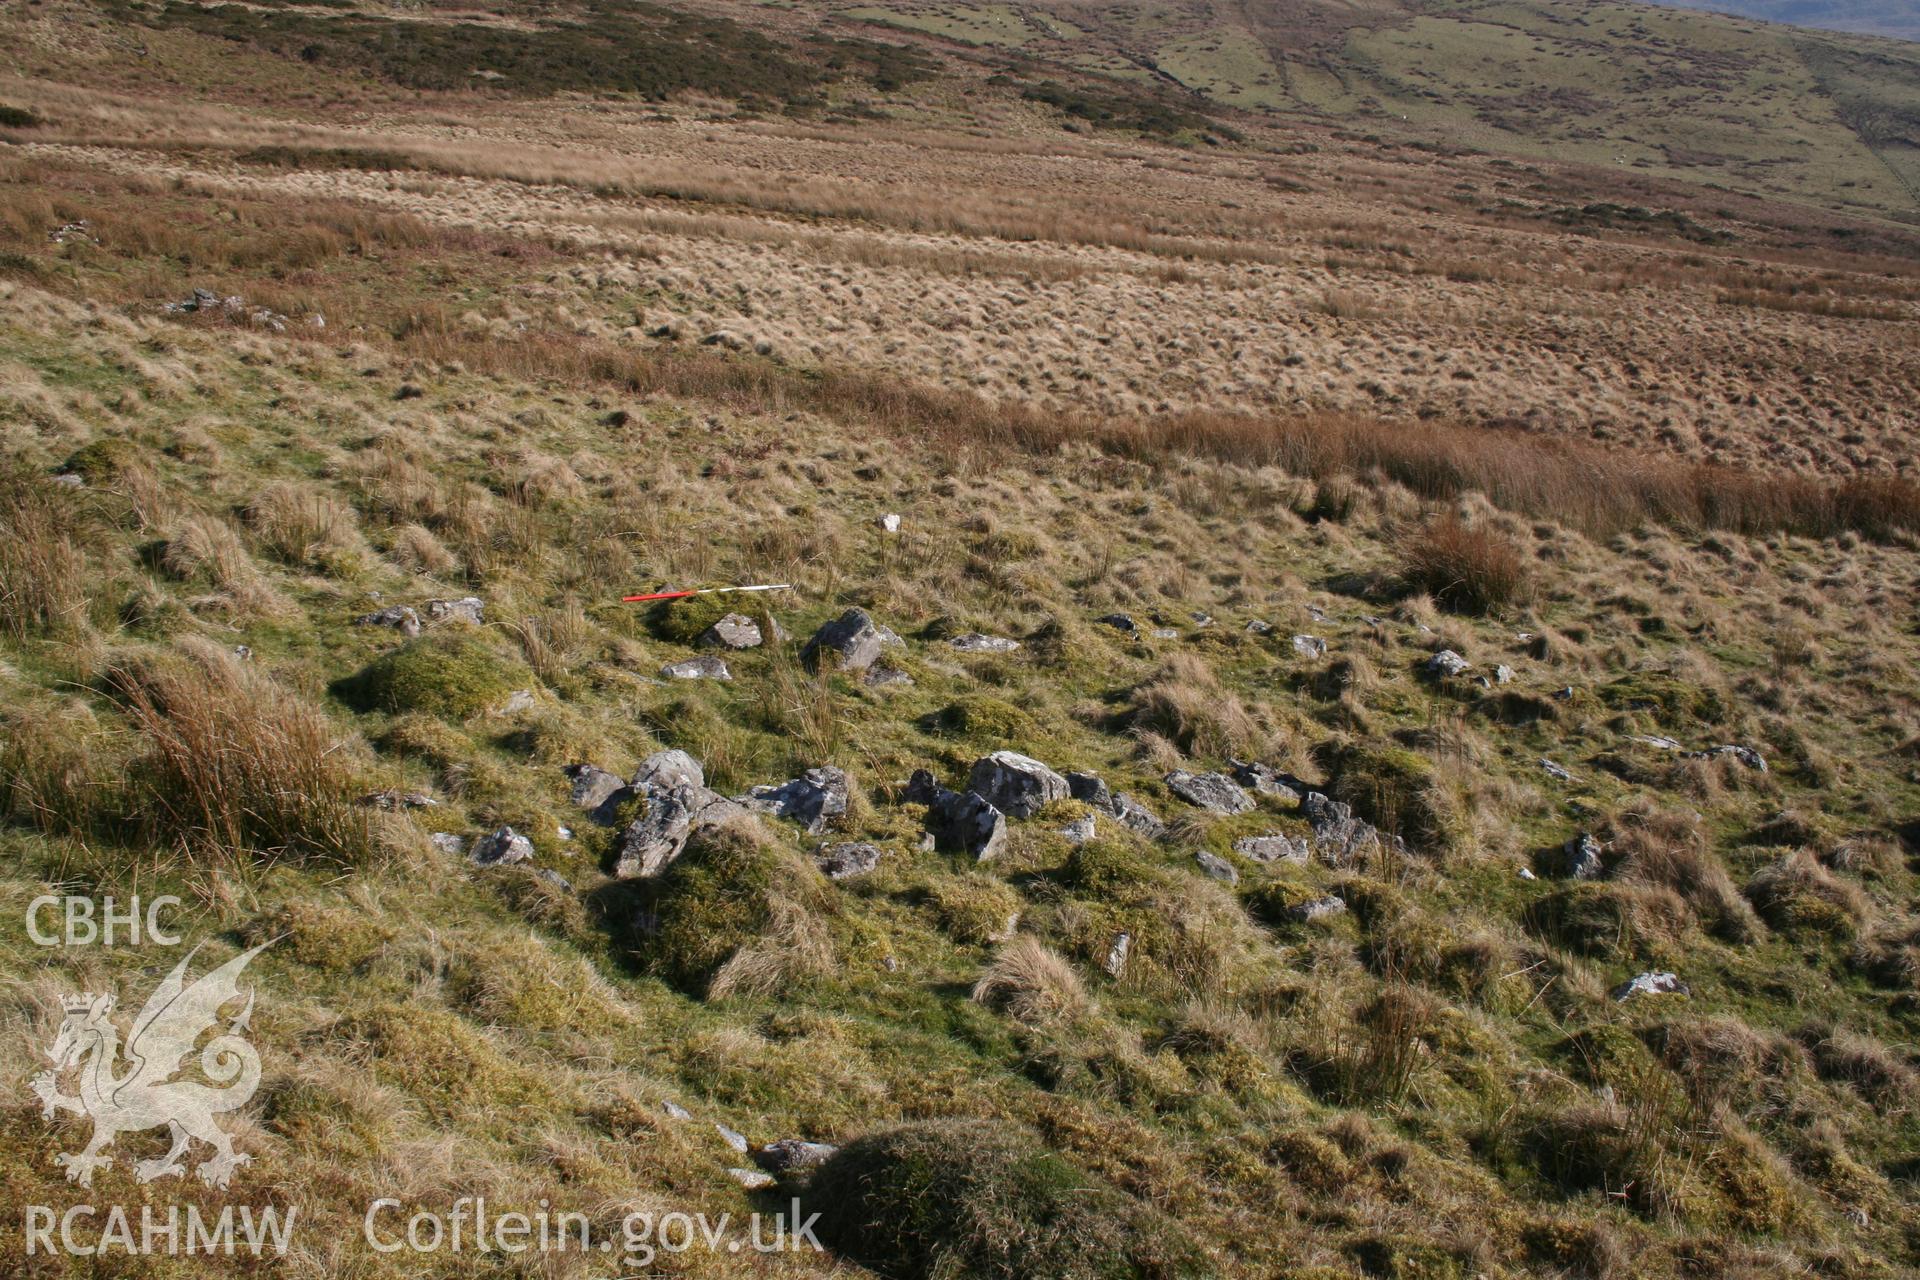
{"x": 972, "y": 1198}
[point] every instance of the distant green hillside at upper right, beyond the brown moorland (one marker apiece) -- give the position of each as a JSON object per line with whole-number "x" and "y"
{"x": 1662, "y": 91}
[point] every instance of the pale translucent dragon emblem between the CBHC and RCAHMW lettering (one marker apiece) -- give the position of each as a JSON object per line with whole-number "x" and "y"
{"x": 143, "y": 1093}
